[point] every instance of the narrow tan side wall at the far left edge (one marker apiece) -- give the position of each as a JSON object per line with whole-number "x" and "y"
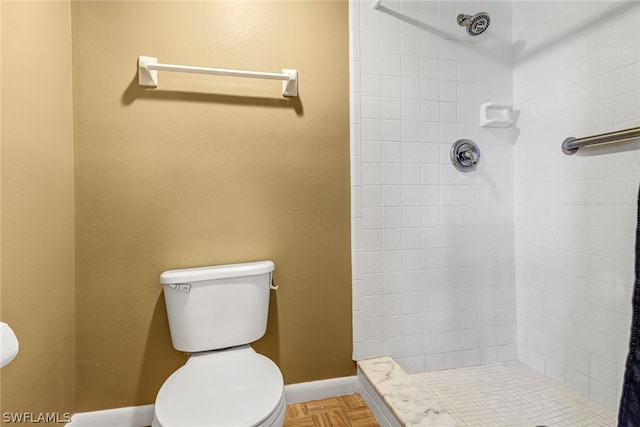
{"x": 37, "y": 205}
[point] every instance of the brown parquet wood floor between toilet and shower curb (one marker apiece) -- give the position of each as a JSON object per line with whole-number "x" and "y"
{"x": 341, "y": 411}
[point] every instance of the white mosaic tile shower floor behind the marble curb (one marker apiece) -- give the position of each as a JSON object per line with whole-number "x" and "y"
{"x": 511, "y": 395}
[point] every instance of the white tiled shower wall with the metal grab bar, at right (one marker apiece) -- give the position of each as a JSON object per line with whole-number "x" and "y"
{"x": 576, "y": 75}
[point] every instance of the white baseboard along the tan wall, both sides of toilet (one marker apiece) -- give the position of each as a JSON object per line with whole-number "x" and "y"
{"x": 140, "y": 416}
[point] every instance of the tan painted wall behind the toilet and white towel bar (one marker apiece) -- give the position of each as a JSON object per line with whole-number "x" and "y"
{"x": 208, "y": 170}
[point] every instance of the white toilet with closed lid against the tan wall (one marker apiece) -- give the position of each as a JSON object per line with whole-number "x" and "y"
{"x": 214, "y": 314}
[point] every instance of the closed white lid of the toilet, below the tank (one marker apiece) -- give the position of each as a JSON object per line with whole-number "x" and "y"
{"x": 236, "y": 387}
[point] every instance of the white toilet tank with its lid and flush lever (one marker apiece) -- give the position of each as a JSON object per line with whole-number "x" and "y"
{"x": 215, "y": 307}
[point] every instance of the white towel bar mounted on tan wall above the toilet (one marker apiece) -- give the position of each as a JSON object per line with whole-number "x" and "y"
{"x": 148, "y": 68}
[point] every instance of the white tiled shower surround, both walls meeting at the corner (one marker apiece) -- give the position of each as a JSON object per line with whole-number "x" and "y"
{"x": 433, "y": 249}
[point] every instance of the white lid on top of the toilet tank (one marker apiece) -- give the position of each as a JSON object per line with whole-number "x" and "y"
{"x": 216, "y": 272}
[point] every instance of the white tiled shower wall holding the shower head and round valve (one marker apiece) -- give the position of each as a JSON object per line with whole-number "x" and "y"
{"x": 433, "y": 248}
